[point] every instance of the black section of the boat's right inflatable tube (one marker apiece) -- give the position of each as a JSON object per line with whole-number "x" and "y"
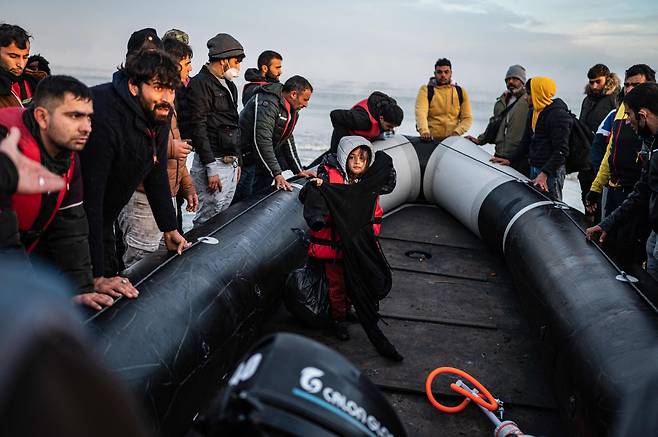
{"x": 597, "y": 331}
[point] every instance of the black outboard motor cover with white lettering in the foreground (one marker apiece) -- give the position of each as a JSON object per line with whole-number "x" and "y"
{"x": 289, "y": 385}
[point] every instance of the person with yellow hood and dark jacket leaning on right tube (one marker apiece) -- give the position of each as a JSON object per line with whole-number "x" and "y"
{"x": 546, "y": 138}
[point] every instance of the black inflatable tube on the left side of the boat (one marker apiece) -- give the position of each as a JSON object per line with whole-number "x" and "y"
{"x": 197, "y": 313}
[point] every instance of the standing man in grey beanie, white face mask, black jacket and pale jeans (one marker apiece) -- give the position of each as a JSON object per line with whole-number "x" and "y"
{"x": 209, "y": 116}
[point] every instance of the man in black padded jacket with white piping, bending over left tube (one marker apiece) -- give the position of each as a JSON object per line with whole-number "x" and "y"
{"x": 267, "y": 123}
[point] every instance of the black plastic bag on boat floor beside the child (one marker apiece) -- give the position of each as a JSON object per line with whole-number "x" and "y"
{"x": 306, "y": 295}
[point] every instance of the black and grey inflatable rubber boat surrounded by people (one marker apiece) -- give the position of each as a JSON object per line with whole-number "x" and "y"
{"x": 489, "y": 275}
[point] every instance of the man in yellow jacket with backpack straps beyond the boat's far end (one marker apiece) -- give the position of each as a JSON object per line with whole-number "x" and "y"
{"x": 443, "y": 109}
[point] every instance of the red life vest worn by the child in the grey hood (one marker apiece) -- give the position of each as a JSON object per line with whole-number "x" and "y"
{"x": 325, "y": 243}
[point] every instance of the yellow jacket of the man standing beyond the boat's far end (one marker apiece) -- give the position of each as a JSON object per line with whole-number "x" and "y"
{"x": 444, "y": 116}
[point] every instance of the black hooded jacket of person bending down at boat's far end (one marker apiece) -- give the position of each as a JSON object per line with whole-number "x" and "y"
{"x": 345, "y": 121}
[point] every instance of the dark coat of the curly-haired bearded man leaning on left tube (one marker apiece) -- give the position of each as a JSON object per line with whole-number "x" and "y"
{"x": 124, "y": 149}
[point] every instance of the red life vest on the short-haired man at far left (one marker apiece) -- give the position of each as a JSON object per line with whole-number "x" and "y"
{"x": 28, "y": 206}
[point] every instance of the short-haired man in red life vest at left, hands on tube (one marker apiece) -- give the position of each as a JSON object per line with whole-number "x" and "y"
{"x": 54, "y": 225}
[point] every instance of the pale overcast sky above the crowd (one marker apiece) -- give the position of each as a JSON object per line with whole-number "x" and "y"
{"x": 392, "y": 43}
